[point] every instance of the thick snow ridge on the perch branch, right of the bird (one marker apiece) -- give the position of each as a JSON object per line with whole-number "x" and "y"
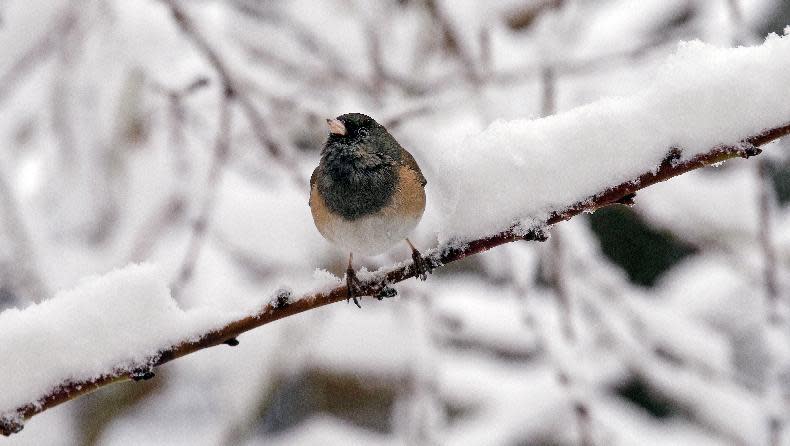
{"x": 702, "y": 96}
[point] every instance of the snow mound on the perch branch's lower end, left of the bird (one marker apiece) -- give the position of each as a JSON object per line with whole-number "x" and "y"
{"x": 117, "y": 321}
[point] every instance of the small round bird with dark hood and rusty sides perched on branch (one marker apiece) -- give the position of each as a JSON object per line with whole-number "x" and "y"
{"x": 367, "y": 193}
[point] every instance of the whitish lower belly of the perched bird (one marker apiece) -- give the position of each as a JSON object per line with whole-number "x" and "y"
{"x": 372, "y": 234}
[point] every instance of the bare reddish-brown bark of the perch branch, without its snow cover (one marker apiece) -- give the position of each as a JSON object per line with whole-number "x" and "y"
{"x": 280, "y": 307}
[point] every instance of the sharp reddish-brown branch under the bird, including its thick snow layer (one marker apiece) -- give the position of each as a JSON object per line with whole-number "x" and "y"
{"x": 706, "y": 105}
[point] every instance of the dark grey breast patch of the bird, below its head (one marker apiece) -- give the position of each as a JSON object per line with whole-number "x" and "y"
{"x": 353, "y": 190}
